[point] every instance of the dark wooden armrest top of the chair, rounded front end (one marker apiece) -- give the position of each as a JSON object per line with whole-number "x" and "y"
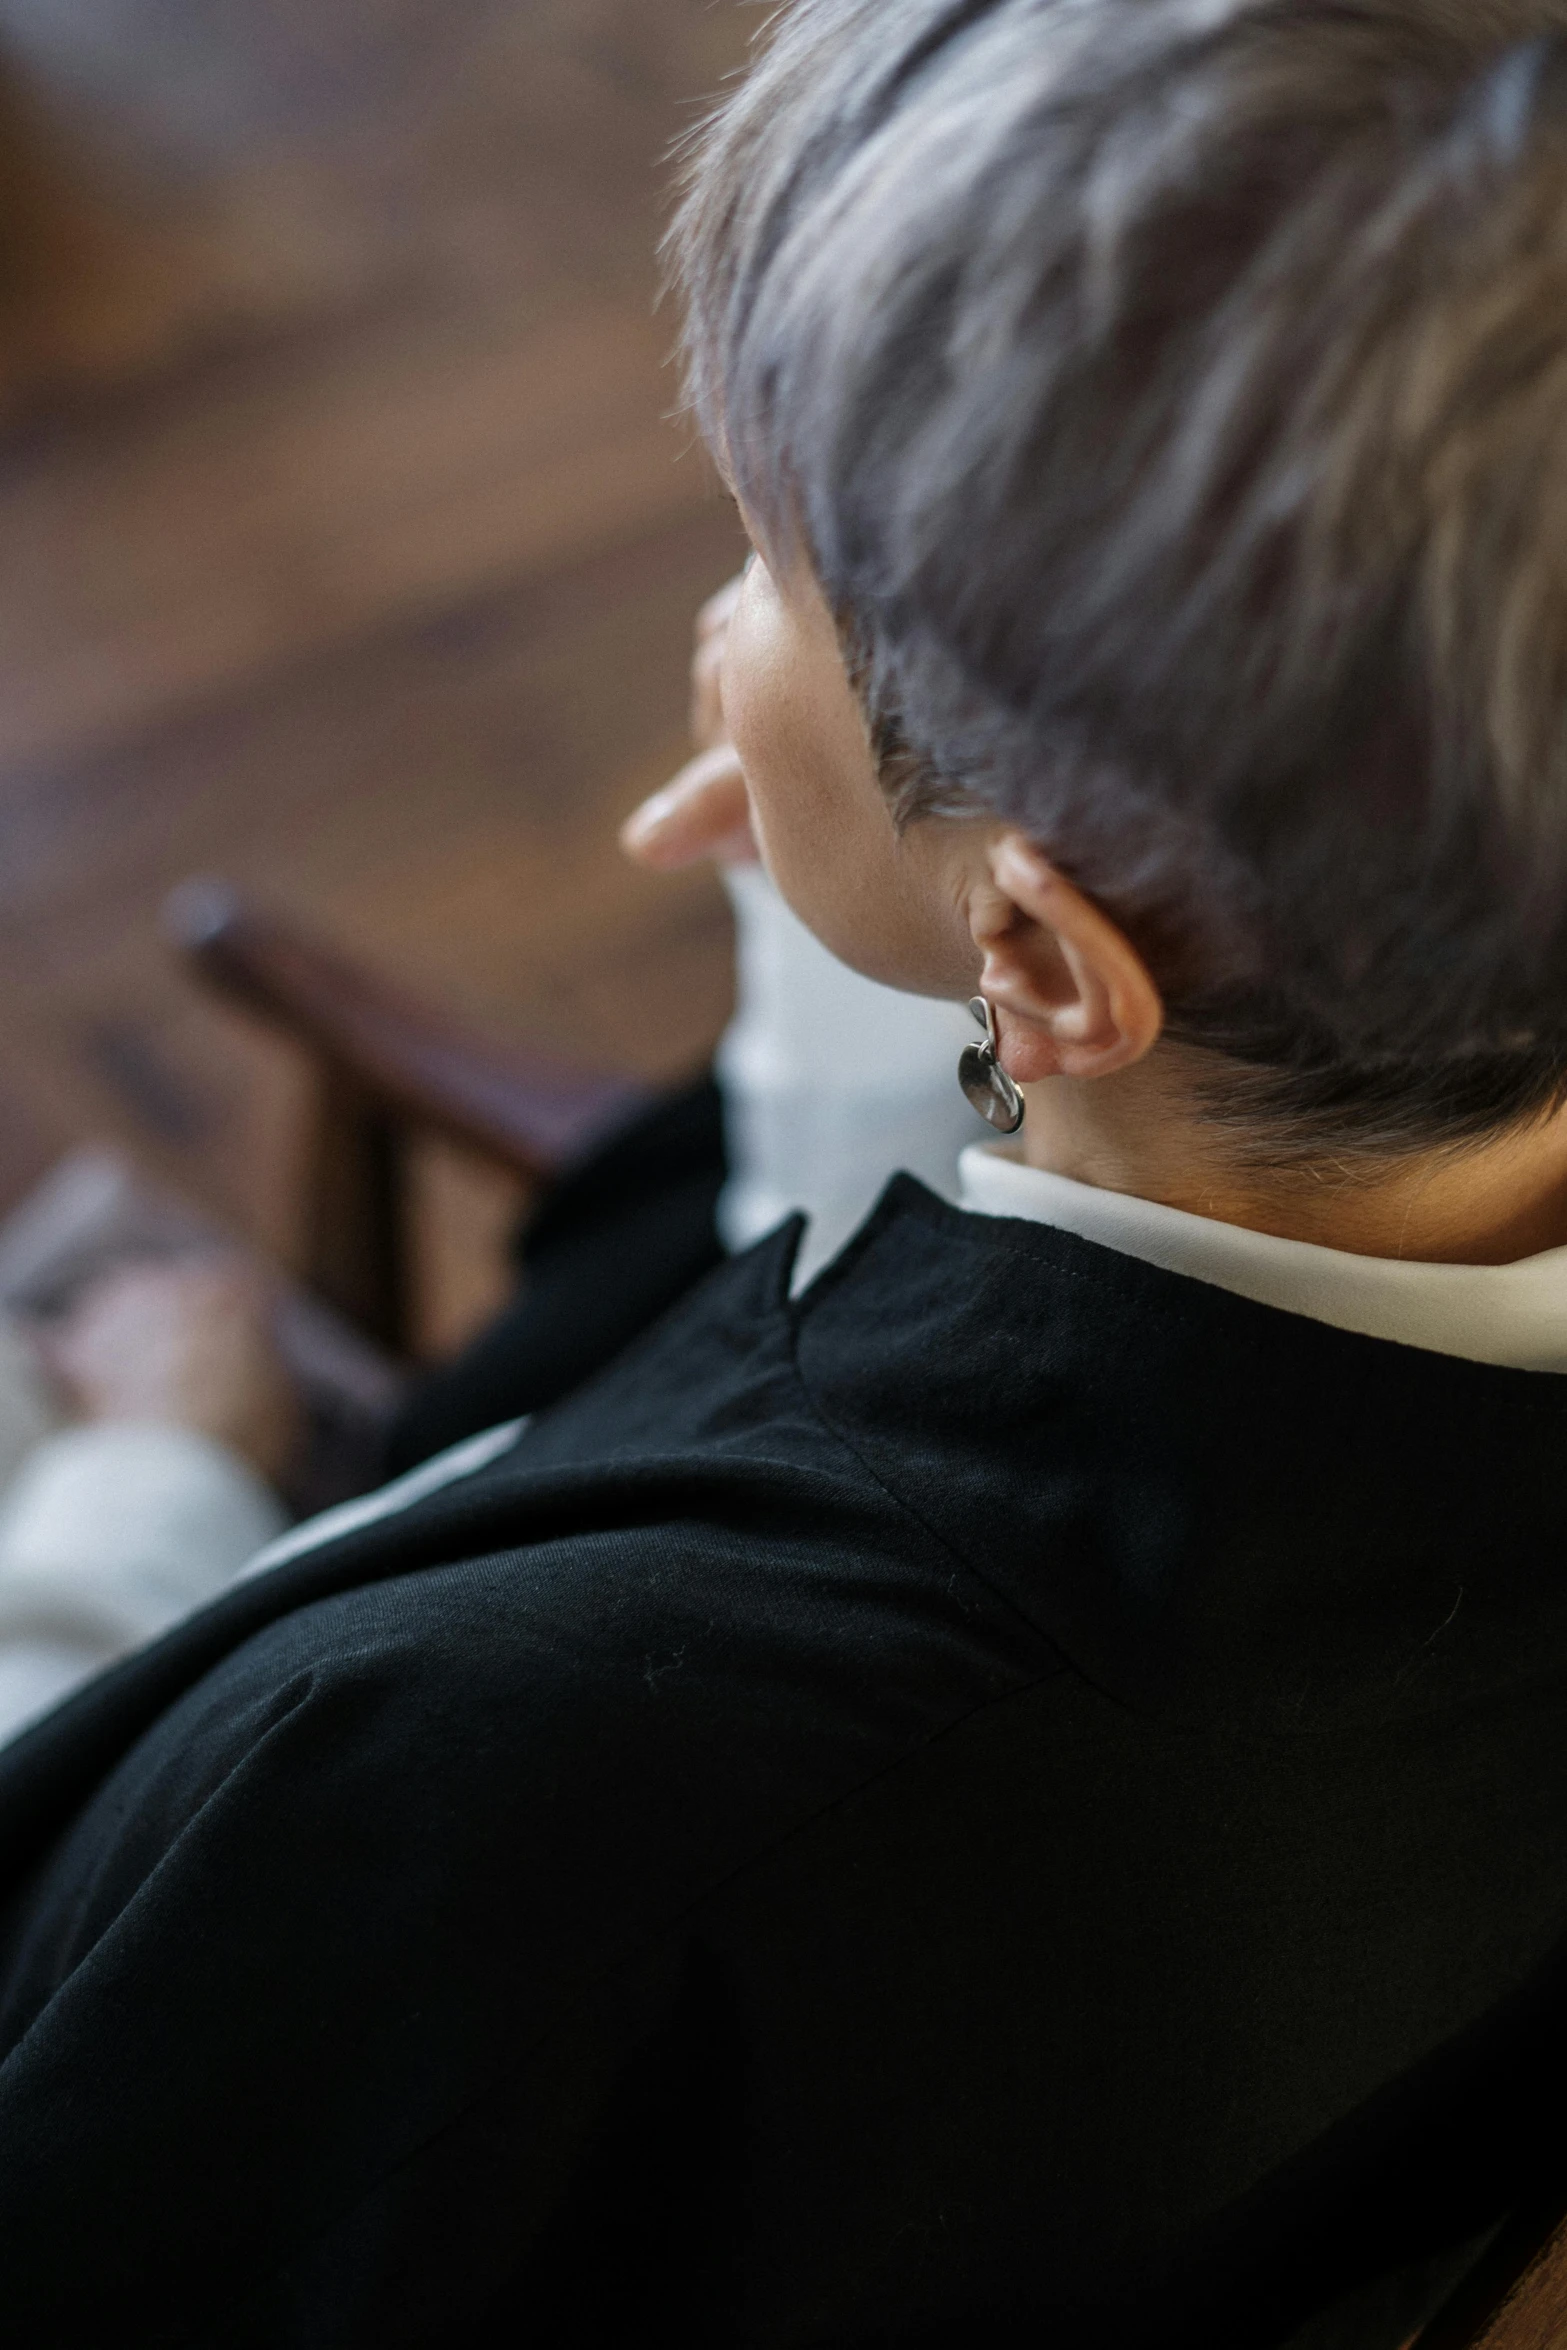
{"x": 527, "y": 1110}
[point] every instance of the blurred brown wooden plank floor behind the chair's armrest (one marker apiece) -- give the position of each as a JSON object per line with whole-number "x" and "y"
{"x": 347, "y": 546}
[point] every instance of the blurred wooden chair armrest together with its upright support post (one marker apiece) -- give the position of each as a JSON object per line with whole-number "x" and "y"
{"x": 389, "y": 1070}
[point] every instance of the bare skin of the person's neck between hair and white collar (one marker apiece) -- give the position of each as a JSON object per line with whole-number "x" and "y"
{"x": 1143, "y": 1134}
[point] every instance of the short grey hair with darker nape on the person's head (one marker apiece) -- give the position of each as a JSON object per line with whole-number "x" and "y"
{"x": 1171, "y": 398}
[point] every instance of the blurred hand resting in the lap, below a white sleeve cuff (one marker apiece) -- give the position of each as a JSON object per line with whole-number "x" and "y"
{"x": 184, "y": 1345}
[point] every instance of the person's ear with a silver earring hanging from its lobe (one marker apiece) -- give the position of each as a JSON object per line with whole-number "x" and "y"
{"x": 1072, "y": 995}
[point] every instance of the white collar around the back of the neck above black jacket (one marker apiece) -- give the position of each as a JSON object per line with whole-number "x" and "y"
{"x": 1512, "y": 1315}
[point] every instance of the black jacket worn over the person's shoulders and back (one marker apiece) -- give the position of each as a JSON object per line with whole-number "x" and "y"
{"x": 1011, "y": 1799}
